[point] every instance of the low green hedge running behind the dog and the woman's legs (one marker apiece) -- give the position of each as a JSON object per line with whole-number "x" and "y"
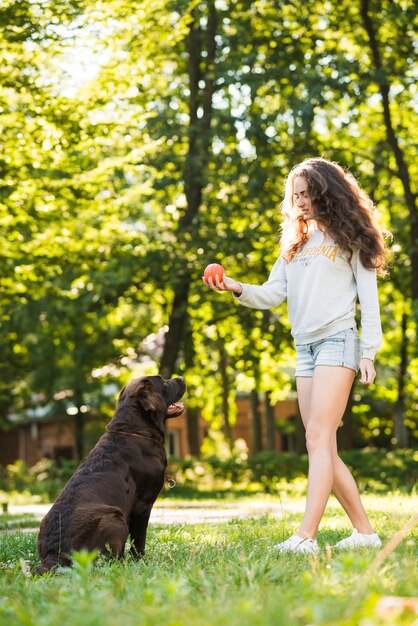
{"x": 375, "y": 471}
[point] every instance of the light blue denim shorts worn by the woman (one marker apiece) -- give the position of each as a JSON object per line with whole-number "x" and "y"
{"x": 341, "y": 350}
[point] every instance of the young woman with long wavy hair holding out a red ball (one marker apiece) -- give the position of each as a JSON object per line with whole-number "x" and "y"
{"x": 331, "y": 249}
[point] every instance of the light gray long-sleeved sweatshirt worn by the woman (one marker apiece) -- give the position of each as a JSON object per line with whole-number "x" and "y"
{"x": 321, "y": 287}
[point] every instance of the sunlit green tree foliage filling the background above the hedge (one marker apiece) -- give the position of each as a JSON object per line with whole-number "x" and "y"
{"x": 103, "y": 138}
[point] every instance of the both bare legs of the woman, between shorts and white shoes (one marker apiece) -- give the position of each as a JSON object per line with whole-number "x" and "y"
{"x": 322, "y": 401}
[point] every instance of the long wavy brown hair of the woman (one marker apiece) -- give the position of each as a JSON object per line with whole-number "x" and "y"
{"x": 341, "y": 208}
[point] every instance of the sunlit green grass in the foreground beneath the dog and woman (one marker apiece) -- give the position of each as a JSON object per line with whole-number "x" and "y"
{"x": 223, "y": 574}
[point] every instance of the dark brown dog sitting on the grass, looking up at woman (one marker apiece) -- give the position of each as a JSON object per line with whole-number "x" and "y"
{"x": 112, "y": 492}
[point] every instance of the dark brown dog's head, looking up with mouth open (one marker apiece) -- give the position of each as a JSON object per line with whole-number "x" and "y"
{"x": 149, "y": 400}
